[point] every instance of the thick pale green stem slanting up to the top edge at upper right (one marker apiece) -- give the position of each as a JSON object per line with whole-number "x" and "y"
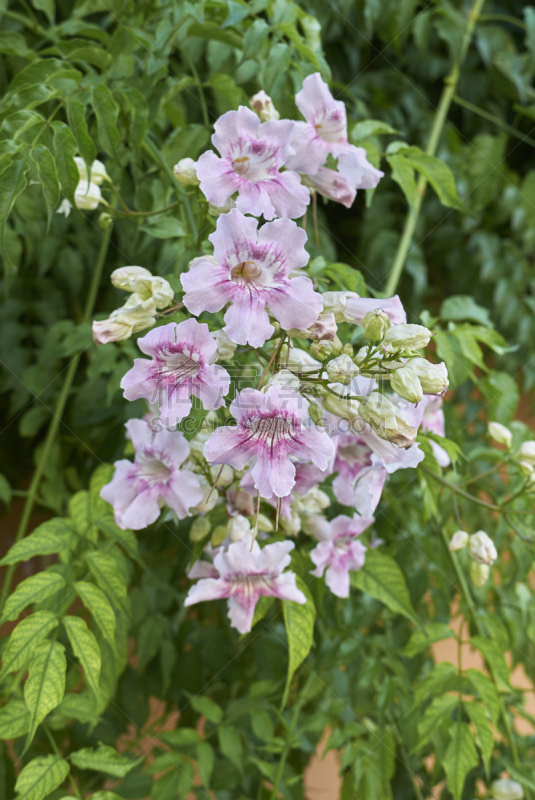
{"x": 450, "y": 87}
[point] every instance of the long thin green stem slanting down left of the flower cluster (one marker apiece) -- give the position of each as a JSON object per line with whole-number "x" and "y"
{"x": 56, "y": 419}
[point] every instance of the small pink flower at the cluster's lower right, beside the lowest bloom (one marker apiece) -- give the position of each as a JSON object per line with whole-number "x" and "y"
{"x": 338, "y": 551}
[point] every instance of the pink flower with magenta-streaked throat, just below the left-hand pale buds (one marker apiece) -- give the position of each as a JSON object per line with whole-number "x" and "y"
{"x": 181, "y": 365}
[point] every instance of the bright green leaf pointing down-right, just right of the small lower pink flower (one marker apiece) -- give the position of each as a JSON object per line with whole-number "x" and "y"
{"x": 381, "y": 578}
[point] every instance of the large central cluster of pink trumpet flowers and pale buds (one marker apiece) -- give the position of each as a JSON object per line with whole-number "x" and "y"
{"x": 317, "y": 434}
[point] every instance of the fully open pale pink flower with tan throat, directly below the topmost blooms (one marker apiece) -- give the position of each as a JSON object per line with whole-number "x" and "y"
{"x": 251, "y": 271}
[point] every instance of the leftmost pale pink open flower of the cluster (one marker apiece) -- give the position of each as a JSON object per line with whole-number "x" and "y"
{"x": 139, "y": 490}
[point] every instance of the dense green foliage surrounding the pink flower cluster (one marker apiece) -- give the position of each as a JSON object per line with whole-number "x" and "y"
{"x": 139, "y": 85}
